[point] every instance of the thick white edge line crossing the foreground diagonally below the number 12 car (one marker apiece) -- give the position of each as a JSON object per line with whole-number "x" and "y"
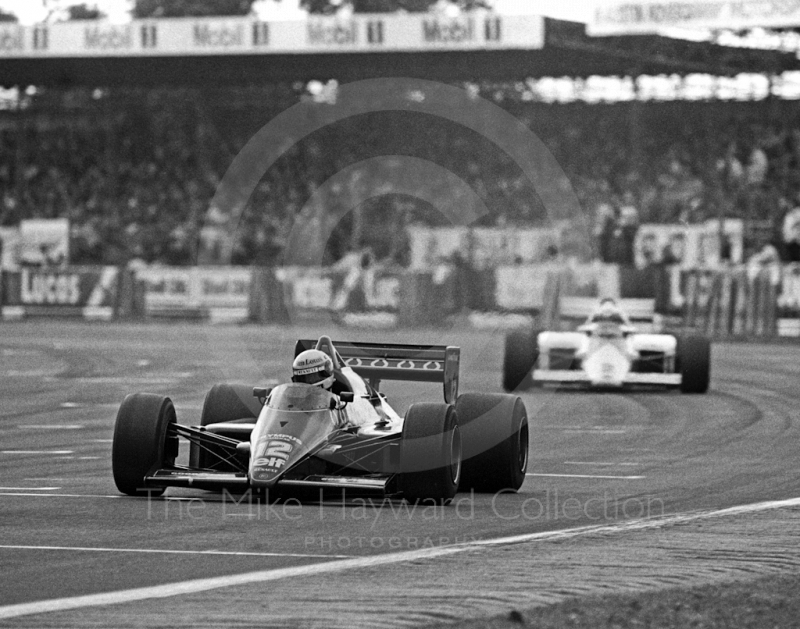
{"x": 202, "y": 585}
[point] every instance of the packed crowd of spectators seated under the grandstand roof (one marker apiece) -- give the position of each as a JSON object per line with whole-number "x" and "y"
{"x": 136, "y": 172}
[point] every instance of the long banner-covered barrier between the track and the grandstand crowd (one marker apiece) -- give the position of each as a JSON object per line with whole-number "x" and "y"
{"x": 729, "y": 302}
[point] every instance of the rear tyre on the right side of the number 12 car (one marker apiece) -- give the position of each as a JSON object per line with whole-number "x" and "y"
{"x": 495, "y": 434}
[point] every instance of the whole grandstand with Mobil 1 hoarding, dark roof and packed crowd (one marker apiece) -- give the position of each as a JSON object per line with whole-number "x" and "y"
{"x": 128, "y": 130}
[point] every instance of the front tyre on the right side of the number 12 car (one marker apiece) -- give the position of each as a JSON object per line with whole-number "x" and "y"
{"x": 430, "y": 454}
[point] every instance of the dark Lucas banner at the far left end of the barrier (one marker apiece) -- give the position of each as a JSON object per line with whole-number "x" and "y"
{"x": 89, "y": 292}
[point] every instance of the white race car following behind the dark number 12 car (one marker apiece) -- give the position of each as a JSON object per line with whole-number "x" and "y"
{"x": 607, "y": 351}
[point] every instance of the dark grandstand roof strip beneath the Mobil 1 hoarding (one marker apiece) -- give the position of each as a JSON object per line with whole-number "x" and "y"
{"x": 568, "y": 51}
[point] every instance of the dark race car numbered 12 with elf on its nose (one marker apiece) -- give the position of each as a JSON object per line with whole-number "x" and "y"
{"x": 303, "y": 440}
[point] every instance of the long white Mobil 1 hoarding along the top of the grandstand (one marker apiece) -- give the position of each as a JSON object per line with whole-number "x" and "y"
{"x": 477, "y": 30}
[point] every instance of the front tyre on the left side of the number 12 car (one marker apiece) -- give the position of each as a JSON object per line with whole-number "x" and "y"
{"x": 142, "y": 442}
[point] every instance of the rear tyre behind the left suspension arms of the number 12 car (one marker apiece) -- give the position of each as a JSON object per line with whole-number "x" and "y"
{"x": 223, "y": 403}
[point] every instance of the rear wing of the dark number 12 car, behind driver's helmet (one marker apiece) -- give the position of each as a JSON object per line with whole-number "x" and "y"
{"x": 394, "y": 361}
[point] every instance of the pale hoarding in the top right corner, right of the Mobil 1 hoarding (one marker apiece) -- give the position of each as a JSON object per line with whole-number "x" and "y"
{"x": 651, "y": 16}
